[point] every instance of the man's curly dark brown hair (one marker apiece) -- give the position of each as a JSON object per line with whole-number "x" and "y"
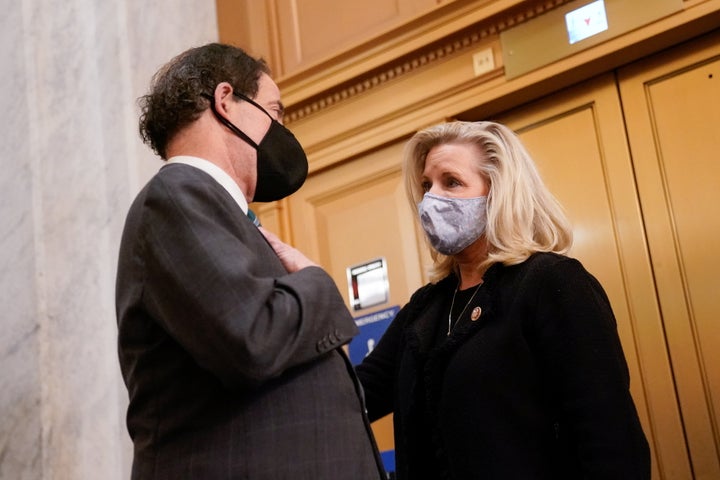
{"x": 176, "y": 93}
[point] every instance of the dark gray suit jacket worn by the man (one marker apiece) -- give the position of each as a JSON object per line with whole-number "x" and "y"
{"x": 233, "y": 366}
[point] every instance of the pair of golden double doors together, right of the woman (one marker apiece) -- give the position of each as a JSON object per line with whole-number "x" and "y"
{"x": 634, "y": 162}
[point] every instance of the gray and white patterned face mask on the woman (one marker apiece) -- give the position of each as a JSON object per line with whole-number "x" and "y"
{"x": 452, "y": 224}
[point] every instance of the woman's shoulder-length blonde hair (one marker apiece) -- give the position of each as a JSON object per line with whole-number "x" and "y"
{"x": 523, "y": 217}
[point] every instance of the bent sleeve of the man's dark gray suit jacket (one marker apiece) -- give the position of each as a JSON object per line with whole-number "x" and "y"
{"x": 217, "y": 287}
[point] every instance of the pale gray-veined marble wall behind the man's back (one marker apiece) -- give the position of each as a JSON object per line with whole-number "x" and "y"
{"x": 70, "y": 163}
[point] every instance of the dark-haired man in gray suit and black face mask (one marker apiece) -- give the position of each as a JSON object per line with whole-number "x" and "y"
{"x": 233, "y": 365}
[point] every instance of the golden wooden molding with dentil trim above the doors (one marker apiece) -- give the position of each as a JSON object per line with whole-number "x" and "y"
{"x": 340, "y": 112}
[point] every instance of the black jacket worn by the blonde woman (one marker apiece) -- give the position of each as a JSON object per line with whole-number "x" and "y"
{"x": 535, "y": 388}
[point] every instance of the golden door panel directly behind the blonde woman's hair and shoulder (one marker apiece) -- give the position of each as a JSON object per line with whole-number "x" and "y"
{"x": 578, "y": 141}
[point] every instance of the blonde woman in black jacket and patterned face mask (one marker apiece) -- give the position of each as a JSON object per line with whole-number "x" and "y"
{"x": 508, "y": 365}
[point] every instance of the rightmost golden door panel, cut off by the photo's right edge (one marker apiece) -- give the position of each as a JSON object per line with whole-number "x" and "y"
{"x": 672, "y": 113}
